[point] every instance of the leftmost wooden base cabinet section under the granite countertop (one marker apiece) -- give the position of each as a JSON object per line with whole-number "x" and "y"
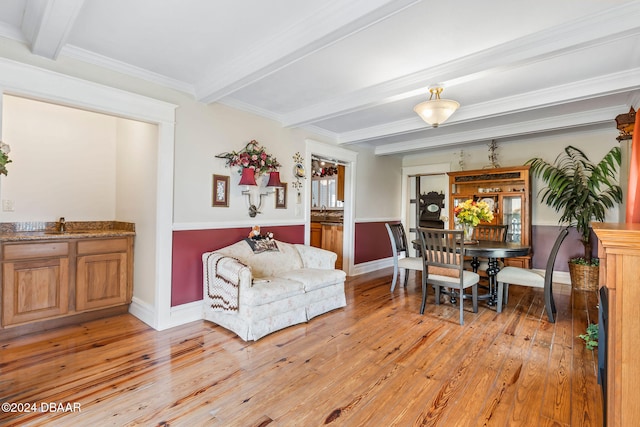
{"x": 35, "y": 283}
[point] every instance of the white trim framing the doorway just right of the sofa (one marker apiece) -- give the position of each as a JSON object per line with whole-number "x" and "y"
{"x": 349, "y": 157}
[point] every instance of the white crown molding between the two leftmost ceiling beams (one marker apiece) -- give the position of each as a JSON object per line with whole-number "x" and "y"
{"x": 84, "y": 55}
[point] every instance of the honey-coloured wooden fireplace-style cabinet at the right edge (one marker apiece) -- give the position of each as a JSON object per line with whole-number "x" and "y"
{"x": 619, "y": 253}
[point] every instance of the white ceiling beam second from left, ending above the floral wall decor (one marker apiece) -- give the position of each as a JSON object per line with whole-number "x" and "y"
{"x": 334, "y": 22}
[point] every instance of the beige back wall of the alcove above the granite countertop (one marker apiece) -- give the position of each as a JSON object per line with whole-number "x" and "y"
{"x": 63, "y": 162}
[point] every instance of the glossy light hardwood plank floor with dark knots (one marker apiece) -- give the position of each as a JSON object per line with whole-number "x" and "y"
{"x": 377, "y": 362}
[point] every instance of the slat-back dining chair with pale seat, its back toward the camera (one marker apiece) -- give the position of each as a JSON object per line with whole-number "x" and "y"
{"x": 443, "y": 253}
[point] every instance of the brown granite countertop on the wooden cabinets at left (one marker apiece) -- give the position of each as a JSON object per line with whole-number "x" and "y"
{"x": 27, "y": 231}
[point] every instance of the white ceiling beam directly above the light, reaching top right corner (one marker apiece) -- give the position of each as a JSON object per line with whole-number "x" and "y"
{"x": 615, "y": 23}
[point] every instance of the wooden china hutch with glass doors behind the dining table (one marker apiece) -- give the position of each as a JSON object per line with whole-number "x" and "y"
{"x": 508, "y": 190}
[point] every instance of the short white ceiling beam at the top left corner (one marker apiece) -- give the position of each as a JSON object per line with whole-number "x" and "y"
{"x": 46, "y": 24}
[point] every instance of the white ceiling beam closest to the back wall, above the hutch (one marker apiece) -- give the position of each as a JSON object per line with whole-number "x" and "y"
{"x": 567, "y": 121}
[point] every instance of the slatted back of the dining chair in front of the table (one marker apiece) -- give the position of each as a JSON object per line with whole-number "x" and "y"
{"x": 442, "y": 248}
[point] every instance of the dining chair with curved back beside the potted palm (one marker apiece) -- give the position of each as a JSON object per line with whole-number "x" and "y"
{"x": 524, "y": 277}
